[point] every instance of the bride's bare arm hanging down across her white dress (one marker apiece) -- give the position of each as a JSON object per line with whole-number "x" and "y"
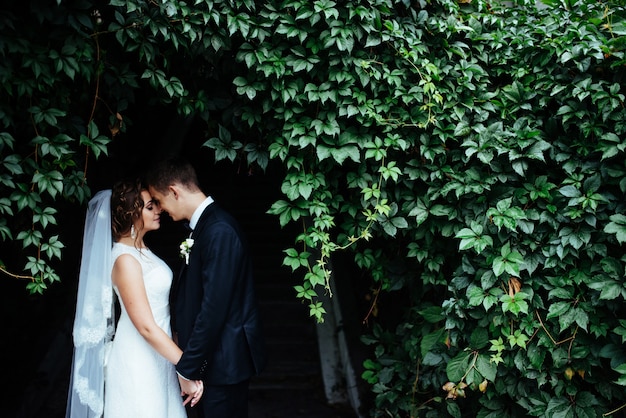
{"x": 128, "y": 277}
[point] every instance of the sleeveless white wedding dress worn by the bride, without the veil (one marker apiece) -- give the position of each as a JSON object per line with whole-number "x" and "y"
{"x": 139, "y": 382}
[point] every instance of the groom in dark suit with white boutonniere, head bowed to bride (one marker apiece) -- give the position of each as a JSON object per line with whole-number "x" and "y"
{"x": 214, "y": 310}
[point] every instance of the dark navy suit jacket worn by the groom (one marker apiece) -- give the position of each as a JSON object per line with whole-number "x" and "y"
{"x": 214, "y": 305}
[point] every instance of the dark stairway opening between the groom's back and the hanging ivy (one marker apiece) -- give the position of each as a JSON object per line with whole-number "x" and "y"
{"x": 291, "y": 385}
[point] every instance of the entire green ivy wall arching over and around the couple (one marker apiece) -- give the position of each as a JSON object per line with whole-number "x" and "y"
{"x": 470, "y": 155}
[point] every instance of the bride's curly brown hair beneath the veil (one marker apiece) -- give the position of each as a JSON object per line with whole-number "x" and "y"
{"x": 126, "y": 207}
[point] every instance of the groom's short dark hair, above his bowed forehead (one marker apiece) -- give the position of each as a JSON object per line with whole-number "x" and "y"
{"x": 173, "y": 170}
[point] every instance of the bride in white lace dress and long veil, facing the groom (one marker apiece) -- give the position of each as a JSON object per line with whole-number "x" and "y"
{"x": 133, "y": 374}
